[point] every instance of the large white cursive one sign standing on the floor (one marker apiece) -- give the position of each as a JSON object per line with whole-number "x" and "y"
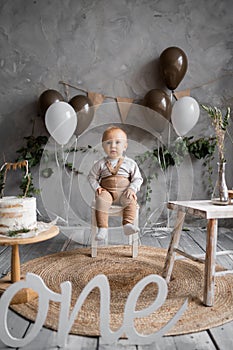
{"x": 67, "y": 318}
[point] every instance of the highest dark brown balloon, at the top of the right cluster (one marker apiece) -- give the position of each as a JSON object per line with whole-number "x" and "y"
{"x": 174, "y": 65}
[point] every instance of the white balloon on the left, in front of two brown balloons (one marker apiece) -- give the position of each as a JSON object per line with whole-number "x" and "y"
{"x": 61, "y": 121}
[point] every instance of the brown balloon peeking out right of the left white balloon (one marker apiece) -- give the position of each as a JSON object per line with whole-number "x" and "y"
{"x": 85, "y": 112}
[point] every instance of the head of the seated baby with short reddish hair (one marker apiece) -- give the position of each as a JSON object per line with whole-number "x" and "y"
{"x": 115, "y": 144}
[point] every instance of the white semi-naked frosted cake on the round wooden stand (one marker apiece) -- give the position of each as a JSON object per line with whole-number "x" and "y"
{"x": 17, "y": 214}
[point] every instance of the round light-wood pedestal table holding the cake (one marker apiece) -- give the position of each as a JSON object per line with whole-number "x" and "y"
{"x": 15, "y": 260}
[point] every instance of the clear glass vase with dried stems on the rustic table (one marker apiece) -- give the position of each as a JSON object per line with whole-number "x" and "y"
{"x": 220, "y": 123}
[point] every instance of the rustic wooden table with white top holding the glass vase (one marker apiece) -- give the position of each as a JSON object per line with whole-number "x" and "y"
{"x": 204, "y": 209}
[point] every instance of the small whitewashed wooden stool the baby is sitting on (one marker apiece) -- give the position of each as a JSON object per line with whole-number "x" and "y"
{"x": 115, "y": 210}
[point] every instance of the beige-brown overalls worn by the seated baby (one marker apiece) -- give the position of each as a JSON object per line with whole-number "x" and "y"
{"x": 114, "y": 186}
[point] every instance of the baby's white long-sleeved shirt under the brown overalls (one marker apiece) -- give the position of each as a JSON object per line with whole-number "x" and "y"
{"x": 128, "y": 168}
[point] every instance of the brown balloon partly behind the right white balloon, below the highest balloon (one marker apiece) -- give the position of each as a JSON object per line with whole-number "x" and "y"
{"x": 159, "y": 101}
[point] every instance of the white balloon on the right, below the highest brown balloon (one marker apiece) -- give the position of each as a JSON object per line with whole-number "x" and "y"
{"x": 185, "y": 114}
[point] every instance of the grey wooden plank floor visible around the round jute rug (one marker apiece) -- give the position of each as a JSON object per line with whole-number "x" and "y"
{"x": 192, "y": 240}
